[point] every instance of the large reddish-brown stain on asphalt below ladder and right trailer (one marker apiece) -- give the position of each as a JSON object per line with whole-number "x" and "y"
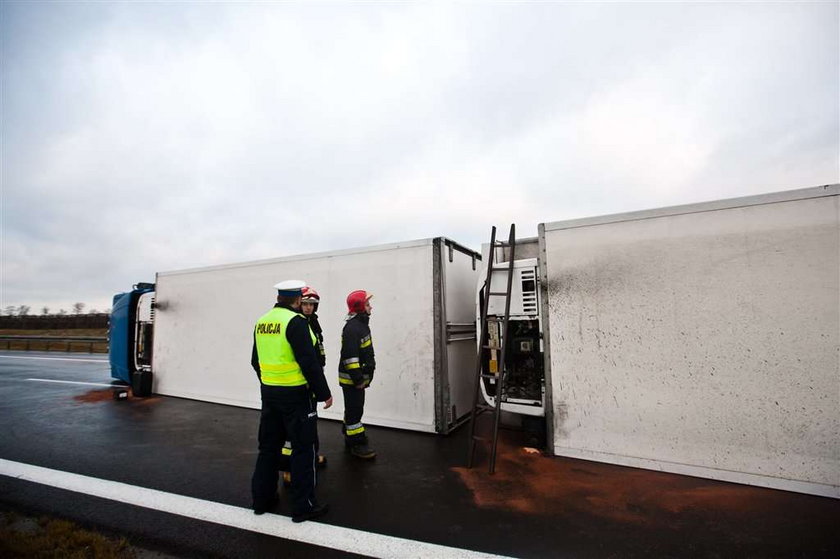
{"x": 532, "y": 483}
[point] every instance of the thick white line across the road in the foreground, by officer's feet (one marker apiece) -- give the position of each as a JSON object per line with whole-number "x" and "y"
{"x": 315, "y": 533}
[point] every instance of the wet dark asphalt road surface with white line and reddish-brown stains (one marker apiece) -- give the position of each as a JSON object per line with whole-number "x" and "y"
{"x": 416, "y": 492}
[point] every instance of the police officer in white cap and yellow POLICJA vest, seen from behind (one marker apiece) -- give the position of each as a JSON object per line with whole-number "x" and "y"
{"x": 286, "y": 361}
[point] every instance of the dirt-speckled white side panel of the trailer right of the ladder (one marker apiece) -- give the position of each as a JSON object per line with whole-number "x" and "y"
{"x": 702, "y": 340}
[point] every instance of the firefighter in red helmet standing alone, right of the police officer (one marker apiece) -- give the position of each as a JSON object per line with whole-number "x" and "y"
{"x": 355, "y": 372}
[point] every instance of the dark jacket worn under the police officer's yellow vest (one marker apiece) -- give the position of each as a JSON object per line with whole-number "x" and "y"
{"x": 297, "y": 333}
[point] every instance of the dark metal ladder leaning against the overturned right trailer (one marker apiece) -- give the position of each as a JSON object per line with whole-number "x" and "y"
{"x": 484, "y": 343}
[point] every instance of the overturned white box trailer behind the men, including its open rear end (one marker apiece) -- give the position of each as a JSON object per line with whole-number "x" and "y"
{"x": 422, "y": 327}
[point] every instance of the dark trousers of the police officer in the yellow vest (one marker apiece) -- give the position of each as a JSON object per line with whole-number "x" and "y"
{"x": 296, "y": 420}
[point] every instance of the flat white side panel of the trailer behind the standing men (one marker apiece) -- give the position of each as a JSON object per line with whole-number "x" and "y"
{"x": 203, "y": 335}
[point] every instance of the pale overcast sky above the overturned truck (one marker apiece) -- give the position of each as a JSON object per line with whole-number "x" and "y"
{"x": 146, "y": 137}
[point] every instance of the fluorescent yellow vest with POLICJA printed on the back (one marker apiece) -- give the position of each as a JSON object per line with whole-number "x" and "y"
{"x": 277, "y": 360}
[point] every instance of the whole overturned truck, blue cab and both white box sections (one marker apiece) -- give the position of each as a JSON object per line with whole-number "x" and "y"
{"x": 700, "y": 340}
